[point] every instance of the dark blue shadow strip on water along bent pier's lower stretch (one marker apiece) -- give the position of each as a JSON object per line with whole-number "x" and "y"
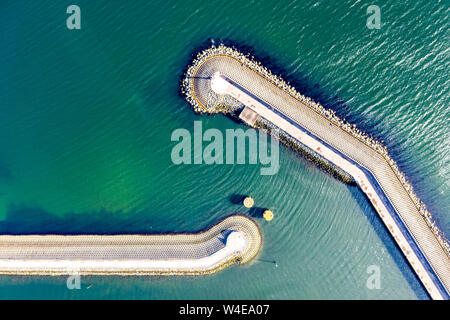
{"x": 388, "y": 242}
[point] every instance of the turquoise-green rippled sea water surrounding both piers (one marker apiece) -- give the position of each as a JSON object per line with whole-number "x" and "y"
{"x": 86, "y": 118}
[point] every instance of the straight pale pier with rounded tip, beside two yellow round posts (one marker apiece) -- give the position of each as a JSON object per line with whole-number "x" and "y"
{"x": 236, "y": 239}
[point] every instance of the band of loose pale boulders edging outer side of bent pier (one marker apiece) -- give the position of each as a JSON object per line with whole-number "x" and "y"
{"x": 247, "y": 60}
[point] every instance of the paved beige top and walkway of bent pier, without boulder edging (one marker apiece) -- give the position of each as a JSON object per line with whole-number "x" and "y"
{"x": 369, "y": 169}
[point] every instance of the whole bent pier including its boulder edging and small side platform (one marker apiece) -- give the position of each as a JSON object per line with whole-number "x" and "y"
{"x": 223, "y": 80}
